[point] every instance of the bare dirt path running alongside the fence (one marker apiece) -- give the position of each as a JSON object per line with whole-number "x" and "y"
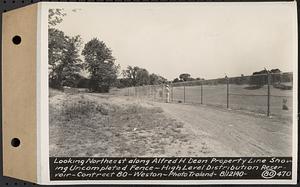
{"x": 240, "y": 134}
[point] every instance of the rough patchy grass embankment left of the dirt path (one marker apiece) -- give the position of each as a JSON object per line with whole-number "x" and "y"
{"x": 95, "y": 125}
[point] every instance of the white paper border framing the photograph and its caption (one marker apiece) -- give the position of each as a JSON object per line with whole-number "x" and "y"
{"x": 43, "y": 111}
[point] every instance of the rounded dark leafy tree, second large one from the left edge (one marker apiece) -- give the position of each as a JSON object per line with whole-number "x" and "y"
{"x": 100, "y": 64}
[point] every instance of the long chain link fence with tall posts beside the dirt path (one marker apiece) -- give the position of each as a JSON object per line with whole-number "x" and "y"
{"x": 268, "y": 94}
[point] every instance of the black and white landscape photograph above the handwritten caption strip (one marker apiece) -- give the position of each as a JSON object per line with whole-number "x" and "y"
{"x": 152, "y": 80}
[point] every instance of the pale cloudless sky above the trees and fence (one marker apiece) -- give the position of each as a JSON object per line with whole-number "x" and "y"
{"x": 206, "y": 40}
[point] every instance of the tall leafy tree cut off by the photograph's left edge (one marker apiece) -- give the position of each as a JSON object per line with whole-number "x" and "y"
{"x": 63, "y": 53}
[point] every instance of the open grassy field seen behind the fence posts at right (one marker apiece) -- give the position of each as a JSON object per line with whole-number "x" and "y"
{"x": 216, "y": 95}
